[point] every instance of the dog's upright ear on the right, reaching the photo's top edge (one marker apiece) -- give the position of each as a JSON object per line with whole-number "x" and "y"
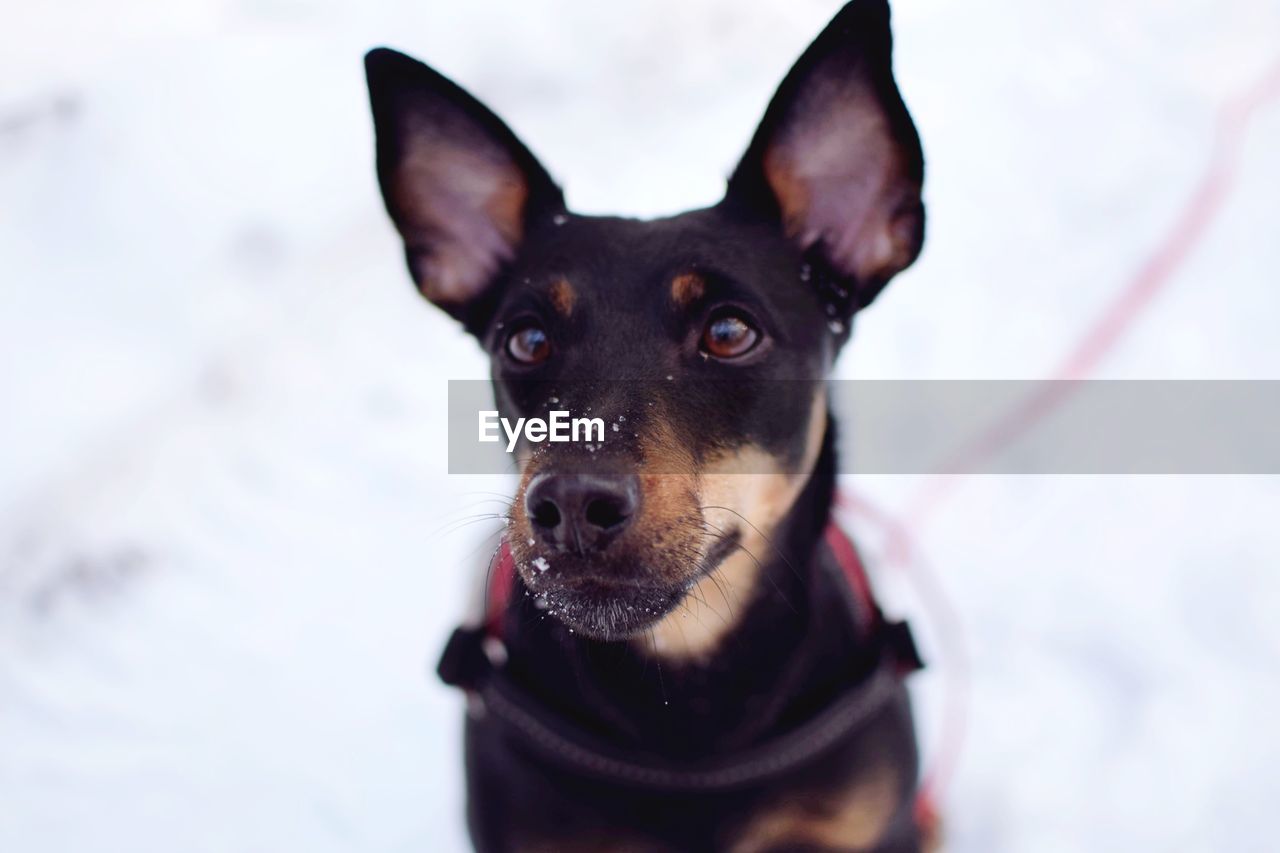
{"x": 838, "y": 161}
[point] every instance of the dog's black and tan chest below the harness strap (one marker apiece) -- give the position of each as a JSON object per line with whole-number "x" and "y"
{"x": 856, "y": 797}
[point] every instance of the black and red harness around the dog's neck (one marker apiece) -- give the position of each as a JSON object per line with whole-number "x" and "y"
{"x": 474, "y": 660}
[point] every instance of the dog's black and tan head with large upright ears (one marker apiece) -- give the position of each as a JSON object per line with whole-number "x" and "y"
{"x": 700, "y": 340}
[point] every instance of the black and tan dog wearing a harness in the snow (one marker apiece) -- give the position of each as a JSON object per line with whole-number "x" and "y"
{"x": 688, "y": 658}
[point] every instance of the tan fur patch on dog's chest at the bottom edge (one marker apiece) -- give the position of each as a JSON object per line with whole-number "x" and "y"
{"x": 853, "y": 819}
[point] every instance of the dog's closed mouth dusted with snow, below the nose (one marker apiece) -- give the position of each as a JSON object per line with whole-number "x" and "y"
{"x": 610, "y": 603}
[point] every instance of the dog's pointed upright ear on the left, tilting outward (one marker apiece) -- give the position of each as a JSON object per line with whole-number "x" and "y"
{"x": 461, "y": 189}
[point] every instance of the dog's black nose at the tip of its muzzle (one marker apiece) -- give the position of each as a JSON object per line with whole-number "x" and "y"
{"x": 582, "y": 513}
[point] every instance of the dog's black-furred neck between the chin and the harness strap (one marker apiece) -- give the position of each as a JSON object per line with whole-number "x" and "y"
{"x": 789, "y": 653}
